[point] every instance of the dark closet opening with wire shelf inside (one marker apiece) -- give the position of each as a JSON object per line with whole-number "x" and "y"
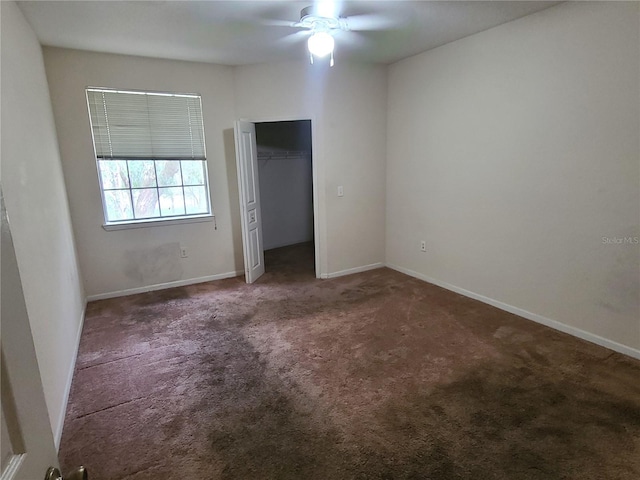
{"x": 285, "y": 173}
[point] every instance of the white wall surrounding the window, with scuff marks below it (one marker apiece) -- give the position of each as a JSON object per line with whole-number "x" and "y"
{"x": 113, "y": 261}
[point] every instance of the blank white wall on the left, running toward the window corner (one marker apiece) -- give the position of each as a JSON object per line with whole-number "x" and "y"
{"x": 37, "y": 207}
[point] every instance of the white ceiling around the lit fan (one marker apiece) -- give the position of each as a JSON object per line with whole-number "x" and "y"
{"x": 244, "y": 32}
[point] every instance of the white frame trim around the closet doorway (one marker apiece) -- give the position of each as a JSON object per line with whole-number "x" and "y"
{"x": 318, "y": 237}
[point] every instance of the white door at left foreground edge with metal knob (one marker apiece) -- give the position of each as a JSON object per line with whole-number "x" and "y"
{"x": 27, "y": 442}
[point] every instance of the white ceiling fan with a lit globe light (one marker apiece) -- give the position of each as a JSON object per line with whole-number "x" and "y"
{"x": 321, "y": 24}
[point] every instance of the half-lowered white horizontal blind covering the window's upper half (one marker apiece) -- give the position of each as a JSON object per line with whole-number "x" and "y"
{"x": 141, "y": 126}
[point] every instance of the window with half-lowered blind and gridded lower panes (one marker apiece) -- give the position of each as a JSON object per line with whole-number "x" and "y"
{"x": 150, "y": 155}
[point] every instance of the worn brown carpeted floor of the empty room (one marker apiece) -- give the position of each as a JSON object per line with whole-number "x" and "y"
{"x": 371, "y": 376}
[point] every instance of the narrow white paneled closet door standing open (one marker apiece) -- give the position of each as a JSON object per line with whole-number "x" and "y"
{"x": 249, "y": 191}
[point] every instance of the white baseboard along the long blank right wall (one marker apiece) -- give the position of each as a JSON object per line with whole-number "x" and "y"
{"x": 576, "y": 332}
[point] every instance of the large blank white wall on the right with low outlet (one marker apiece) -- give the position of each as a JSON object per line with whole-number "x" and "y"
{"x": 513, "y": 152}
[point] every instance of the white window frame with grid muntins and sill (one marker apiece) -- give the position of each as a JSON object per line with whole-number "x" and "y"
{"x": 160, "y": 220}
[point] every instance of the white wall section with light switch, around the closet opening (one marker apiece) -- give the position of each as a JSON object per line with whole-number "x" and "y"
{"x": 346, "y": 104}
